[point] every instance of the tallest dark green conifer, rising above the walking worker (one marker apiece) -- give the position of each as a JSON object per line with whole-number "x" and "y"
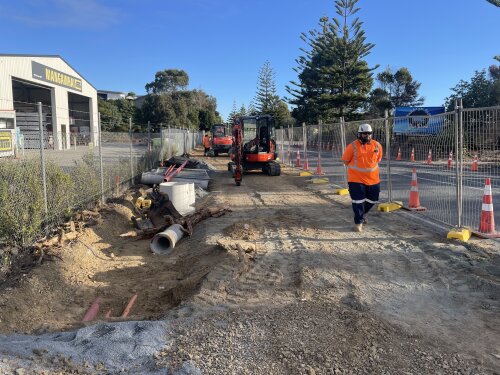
{"x": 334, "y": 78}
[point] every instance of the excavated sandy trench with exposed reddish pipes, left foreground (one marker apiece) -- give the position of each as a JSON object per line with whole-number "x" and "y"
{"x": 97, "y": 265}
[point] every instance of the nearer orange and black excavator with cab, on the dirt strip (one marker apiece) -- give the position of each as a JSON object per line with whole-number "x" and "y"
{"x": 253, "y": 147}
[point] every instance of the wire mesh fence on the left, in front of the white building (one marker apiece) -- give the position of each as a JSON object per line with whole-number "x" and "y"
{"x": 44, "y": 182}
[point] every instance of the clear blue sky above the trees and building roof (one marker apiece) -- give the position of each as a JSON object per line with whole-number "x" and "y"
{"x": 119, "y": 45}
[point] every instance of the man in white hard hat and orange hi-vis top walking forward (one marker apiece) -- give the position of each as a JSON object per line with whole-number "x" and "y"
{"x": 361, "y": 158}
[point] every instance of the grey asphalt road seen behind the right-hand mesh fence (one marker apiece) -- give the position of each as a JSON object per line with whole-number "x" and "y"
{"x": 436, "y": 185}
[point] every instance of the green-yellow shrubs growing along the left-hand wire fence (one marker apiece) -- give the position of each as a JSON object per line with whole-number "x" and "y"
{"x": 23, "y": 219}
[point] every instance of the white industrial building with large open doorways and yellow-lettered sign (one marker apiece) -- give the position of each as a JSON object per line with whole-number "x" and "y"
{"x": 69, "y": 102}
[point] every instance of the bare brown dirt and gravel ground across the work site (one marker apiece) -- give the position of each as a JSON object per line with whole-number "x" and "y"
{"x": 280, "y": 285}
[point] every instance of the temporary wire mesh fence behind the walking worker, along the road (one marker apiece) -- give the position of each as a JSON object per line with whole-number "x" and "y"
{"x": 452, "y": 154}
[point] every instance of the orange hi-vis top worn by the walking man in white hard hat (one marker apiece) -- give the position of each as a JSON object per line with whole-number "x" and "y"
{"x": 362, "y": 162}
